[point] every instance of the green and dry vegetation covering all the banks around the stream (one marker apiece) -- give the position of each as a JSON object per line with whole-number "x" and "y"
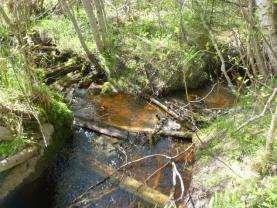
{"x": 150, "y": 48}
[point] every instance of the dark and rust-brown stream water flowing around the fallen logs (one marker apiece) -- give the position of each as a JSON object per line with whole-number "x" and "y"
{"x": 72, "y": 179}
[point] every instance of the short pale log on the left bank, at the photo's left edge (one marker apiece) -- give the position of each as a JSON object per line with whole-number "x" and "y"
{"x": 18, "y": 158}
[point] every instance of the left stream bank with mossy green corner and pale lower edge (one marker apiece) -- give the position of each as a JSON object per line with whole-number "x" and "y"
{"x": 43, "y": 141}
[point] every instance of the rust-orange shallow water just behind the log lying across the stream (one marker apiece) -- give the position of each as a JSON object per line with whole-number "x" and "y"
{"x": 125, "y": 111}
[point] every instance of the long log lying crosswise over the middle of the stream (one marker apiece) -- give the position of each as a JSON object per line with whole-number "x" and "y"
{"x": 122, "y": 133}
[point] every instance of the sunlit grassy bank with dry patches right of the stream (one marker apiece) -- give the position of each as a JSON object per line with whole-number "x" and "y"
{"x": 231, "y": 164}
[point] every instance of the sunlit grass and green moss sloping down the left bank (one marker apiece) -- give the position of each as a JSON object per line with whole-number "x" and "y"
{"x": 36, "y": 97}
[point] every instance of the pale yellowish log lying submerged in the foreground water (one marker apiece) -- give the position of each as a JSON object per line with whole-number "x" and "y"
{"x": 131, "y": 185}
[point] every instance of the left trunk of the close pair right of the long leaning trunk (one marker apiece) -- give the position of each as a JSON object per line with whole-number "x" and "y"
{"x": 93, "y": 24}
